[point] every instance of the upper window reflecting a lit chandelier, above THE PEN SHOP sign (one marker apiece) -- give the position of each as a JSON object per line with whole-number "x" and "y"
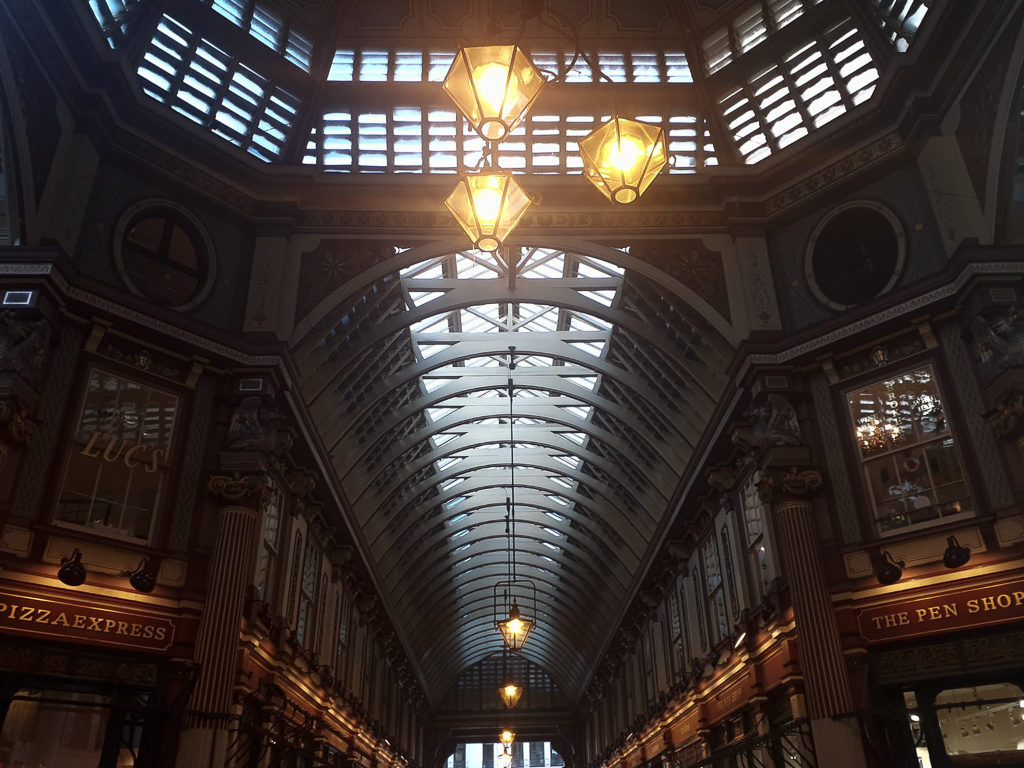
{"x": 914, "y": 472}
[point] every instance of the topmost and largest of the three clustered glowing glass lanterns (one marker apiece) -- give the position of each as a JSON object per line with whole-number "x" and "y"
{"x": 494, "y": 87}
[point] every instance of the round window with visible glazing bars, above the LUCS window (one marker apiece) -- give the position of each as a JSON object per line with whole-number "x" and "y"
{"x": 164, "y": 253}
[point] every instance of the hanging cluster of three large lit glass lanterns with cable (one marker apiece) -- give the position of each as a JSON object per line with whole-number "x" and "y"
{"x": 494, "y": 87}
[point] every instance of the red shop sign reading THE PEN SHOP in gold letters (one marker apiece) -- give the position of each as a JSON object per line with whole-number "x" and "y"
{"x": 958, "y": 610}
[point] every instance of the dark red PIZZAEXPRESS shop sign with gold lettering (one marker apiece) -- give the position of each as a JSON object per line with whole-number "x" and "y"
{"x": 79, "y": 622}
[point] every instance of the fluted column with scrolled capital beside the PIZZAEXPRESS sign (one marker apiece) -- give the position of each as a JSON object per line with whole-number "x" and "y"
{"x": 204, "y": 741}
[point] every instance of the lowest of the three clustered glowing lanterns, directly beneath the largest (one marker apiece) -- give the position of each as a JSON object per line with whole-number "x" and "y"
{"x": 488, "y": 206}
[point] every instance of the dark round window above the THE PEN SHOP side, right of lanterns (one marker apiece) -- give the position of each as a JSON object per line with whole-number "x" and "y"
{"x": 856, "y": 254}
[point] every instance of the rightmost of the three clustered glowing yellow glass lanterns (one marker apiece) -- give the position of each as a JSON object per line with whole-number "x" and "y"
{"x": 623, "y": 157}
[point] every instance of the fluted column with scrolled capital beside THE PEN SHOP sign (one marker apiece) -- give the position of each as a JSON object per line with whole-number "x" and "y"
{"x": 827, "y": 685}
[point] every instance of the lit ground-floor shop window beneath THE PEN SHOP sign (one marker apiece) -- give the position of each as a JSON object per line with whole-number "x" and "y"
{"x": 979, "y": 726}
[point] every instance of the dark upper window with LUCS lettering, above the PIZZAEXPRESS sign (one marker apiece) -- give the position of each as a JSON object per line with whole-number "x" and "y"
{"x": 117, "y": 477}
